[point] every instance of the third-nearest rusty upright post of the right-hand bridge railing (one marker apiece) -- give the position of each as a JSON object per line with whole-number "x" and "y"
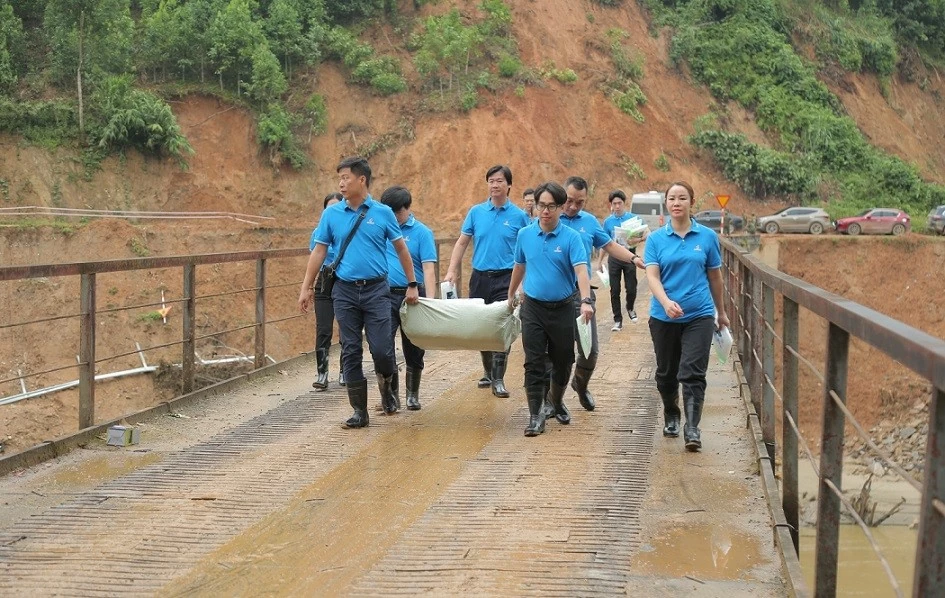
{"x": 789, "y": 442}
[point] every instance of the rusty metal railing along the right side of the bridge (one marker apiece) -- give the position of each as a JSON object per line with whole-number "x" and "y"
{"x": 751, "y": 290}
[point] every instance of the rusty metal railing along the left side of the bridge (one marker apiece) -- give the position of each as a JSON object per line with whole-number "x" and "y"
{"x": 88, "y": 311}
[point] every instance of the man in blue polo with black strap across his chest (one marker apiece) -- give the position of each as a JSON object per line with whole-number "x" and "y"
{"x": 360, "y": 296}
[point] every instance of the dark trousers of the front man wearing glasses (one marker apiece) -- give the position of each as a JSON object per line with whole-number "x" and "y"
{"x": 547, "y": 338}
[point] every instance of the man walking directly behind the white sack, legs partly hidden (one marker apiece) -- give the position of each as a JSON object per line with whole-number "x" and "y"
{"x": 492, "y": 226}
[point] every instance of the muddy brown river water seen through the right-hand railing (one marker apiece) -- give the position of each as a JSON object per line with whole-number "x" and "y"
{"x": 860, "y": 572}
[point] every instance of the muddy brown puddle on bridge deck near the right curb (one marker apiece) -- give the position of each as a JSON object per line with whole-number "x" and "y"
{"x": 702, "y": 551}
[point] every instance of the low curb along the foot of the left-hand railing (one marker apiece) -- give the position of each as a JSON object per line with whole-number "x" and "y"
{"x": 63, "y": 445}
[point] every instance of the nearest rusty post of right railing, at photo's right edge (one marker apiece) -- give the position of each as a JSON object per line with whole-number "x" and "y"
{"x": 929, "y": 576}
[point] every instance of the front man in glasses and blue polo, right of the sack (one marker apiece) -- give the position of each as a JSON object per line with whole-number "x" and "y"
{"x": 551, "y": 259}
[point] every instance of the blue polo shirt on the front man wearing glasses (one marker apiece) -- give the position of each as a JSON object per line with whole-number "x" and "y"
{"x": 549, "y": 259}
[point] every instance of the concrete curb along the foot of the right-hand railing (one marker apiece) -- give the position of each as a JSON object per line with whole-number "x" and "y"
{"x": 780, "y": 527}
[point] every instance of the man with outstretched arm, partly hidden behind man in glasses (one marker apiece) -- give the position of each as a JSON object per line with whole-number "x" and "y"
{"x": 593, "y": 235}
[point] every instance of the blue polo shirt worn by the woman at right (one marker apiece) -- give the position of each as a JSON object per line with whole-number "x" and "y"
{"x": 684, "y": 263}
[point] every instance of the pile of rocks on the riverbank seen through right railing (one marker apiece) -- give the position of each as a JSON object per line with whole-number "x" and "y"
{"x": 903, "y": 438}
